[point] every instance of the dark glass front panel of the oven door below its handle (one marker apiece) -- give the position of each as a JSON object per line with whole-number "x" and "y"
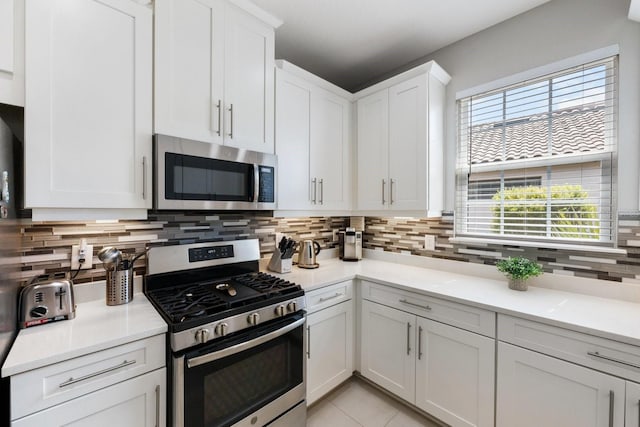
{"x": 227, "y": 390}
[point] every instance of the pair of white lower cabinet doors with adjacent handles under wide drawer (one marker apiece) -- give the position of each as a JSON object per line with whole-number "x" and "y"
{"x": 445, "y": 371}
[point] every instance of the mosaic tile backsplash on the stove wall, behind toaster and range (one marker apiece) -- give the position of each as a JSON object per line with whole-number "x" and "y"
{"x": 46, "y": 246}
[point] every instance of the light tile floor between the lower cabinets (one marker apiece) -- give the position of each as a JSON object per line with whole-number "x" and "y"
{"x": 357, "y": 404}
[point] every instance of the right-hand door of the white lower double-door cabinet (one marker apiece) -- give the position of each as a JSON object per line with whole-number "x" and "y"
{"x": 455, "y": 374}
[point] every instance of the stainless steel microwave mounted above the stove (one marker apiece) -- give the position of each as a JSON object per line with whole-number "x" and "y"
{"x": 193, "y": 175}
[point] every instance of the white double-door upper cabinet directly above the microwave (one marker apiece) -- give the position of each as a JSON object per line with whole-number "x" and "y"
{"x": 214, "y": 73}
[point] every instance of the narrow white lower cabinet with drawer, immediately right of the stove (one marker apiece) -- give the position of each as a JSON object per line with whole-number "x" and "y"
{"x": 330, "y": 339}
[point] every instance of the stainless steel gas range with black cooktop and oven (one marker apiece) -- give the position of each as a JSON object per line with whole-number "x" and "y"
{"x": 236, "y": 336}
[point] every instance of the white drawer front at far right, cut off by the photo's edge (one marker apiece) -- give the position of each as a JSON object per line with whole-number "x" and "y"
{"x": 605, "y": 355}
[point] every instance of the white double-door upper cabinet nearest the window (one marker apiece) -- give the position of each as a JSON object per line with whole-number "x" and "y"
{"x": 400, "y": 143}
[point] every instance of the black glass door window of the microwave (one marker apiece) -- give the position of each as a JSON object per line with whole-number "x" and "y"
{"x": 199, "y": 178}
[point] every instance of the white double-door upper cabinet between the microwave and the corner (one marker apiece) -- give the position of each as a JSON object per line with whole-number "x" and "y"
{"x": 313, "y": 134}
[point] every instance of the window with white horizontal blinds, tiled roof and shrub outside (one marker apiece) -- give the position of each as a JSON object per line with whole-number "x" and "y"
{"x": 536, "y": 160}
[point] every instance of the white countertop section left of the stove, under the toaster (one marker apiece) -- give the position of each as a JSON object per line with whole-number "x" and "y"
{"x": 96, "y": 327}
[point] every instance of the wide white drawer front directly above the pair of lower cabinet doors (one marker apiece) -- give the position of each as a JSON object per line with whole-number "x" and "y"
{"x": 463, "y": 316}
